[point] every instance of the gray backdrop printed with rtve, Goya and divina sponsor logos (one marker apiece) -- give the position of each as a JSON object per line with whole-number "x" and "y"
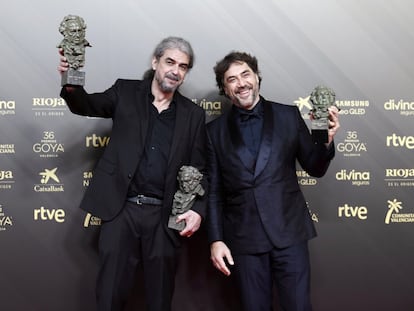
{"x": 363, "y": 258}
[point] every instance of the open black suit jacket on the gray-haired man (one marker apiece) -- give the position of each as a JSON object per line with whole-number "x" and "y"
{"x": 125, "y": 102}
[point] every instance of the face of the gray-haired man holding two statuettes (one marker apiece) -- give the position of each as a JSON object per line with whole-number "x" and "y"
{"x": 170, "y": 70}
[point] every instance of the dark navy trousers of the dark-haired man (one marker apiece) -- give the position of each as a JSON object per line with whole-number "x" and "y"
{"x": 286, "y": 268}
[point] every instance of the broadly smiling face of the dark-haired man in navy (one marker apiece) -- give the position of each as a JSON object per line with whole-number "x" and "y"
{"x": 241, "y": 85}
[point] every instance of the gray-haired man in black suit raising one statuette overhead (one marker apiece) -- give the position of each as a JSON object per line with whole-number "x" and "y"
{"x": 155, "y": 131}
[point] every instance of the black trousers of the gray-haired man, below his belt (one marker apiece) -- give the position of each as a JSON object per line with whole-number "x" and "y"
{"x": 135, "y": 237}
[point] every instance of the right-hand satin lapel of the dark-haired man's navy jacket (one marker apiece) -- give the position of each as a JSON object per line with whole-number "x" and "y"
{"x": 266, "y": 141}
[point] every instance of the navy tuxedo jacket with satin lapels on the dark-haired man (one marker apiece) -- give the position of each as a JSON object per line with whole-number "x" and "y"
{"x": 237, "y": 185}
